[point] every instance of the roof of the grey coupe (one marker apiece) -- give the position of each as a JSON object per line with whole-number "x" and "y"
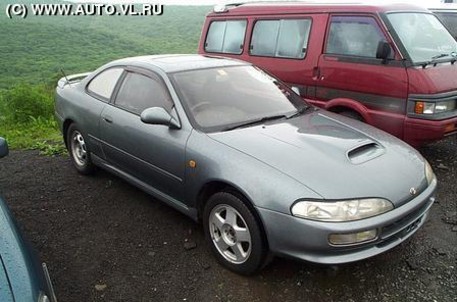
{"x": 176, "y": 63}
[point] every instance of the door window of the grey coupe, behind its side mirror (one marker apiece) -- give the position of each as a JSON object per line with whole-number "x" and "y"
{"x": 139, "y": 92}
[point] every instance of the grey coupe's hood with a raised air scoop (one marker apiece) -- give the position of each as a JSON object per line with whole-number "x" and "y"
{"x": 336, "y": 157}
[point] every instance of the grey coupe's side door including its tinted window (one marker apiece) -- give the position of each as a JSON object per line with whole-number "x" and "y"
{"x": 152, "y": 154}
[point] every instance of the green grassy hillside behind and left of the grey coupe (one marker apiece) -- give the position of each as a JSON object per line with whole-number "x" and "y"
{"x": 33, "y": 50}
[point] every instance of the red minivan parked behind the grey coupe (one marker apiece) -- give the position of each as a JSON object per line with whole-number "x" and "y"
{"x": 391, "y": 65}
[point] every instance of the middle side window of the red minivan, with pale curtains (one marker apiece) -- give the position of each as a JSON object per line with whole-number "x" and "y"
{"x": 285, "y": 38}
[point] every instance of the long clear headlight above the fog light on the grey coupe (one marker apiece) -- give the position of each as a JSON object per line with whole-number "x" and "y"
{"x": 337, "y": 211}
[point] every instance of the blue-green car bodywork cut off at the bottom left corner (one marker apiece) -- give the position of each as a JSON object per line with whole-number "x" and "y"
{"x": 17, "y": 266}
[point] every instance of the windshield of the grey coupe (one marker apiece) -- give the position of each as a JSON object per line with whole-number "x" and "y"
{"x": 223, "y": 98}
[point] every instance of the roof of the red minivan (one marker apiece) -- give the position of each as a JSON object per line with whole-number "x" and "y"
{"x": 265, "y": 8}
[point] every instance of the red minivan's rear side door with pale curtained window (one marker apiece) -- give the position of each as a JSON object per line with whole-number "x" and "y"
{"x": 288, "y": 46}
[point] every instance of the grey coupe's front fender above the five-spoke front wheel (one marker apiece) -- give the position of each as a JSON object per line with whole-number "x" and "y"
{"x": 260, "y": 183}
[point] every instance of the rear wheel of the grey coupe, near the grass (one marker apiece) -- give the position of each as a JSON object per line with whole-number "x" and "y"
{"x": 79, "y": 151}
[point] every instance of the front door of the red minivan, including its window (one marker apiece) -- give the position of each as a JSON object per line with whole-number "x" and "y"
{"x": 348, "y": 68}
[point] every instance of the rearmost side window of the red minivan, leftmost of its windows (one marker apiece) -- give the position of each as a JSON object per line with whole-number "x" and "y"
{"x": 226, "y": 36}
